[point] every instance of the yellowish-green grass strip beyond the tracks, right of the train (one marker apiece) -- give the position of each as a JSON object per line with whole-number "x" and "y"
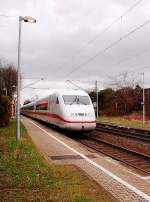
{"x": 124, "y": 121}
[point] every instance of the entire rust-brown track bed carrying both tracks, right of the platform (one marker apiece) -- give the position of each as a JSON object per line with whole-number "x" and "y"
{"x": 126, "y": 145}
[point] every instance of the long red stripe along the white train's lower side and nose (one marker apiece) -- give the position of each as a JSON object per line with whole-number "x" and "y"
{"x": 58, "y": 117}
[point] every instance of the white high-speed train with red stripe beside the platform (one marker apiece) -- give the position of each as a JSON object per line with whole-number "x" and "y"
{"x": 67, "y": 109}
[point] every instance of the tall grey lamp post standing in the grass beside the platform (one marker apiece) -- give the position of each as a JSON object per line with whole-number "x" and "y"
{"x": 29, "y": 20}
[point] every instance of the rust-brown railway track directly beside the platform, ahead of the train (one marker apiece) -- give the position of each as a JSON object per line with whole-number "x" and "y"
{"x": 134, "y": 159}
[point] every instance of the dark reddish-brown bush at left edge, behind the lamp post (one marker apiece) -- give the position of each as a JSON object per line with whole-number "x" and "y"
{"x": 5, "y": 110}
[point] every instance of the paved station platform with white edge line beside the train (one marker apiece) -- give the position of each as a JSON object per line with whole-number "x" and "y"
{"x": 122, "y": 183}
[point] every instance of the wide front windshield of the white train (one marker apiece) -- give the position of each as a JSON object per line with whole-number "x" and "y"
{"x": 76, "y": 99}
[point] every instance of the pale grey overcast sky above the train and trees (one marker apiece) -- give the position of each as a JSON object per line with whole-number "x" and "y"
{"x": 68, "y": 33}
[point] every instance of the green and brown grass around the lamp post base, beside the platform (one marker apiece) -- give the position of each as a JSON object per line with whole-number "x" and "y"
{"x": 26, "y": 176}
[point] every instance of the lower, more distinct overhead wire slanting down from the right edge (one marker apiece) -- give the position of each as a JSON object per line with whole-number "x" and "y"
{"x": 113, "y": 44}
